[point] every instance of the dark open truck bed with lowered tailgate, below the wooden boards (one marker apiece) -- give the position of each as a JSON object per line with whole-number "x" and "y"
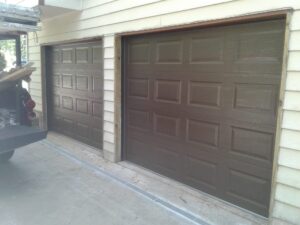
{"x": 16, "y": 116}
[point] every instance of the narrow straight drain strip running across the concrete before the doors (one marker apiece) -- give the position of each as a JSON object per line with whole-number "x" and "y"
{"x": 155, "y": 199}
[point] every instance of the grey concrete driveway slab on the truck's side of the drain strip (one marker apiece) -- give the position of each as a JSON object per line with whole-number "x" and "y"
{"x": 41, "y": 185}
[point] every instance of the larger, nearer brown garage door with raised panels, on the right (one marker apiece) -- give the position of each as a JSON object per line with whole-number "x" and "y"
{"x": 200, "y": 107}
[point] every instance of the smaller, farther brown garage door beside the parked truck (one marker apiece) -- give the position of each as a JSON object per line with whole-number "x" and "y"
{"x": 75, "y": 87}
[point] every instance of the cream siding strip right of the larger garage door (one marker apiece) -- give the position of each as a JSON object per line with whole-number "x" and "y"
{"x": 287, "y": 194}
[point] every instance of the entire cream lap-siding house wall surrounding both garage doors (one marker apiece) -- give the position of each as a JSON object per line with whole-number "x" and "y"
{"x": 106, "y": 18}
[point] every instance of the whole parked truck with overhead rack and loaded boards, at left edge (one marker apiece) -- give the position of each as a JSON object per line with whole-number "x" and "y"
{"x": 16, "y": 104}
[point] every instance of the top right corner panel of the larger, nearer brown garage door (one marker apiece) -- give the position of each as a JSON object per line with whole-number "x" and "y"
{"x": 255, "y": 50}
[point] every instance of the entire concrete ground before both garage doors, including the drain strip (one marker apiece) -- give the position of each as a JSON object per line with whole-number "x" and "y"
{"x": 60, "y": 181}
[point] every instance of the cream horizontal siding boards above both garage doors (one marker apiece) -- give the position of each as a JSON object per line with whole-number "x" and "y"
{"x": 157, "y": 14}
